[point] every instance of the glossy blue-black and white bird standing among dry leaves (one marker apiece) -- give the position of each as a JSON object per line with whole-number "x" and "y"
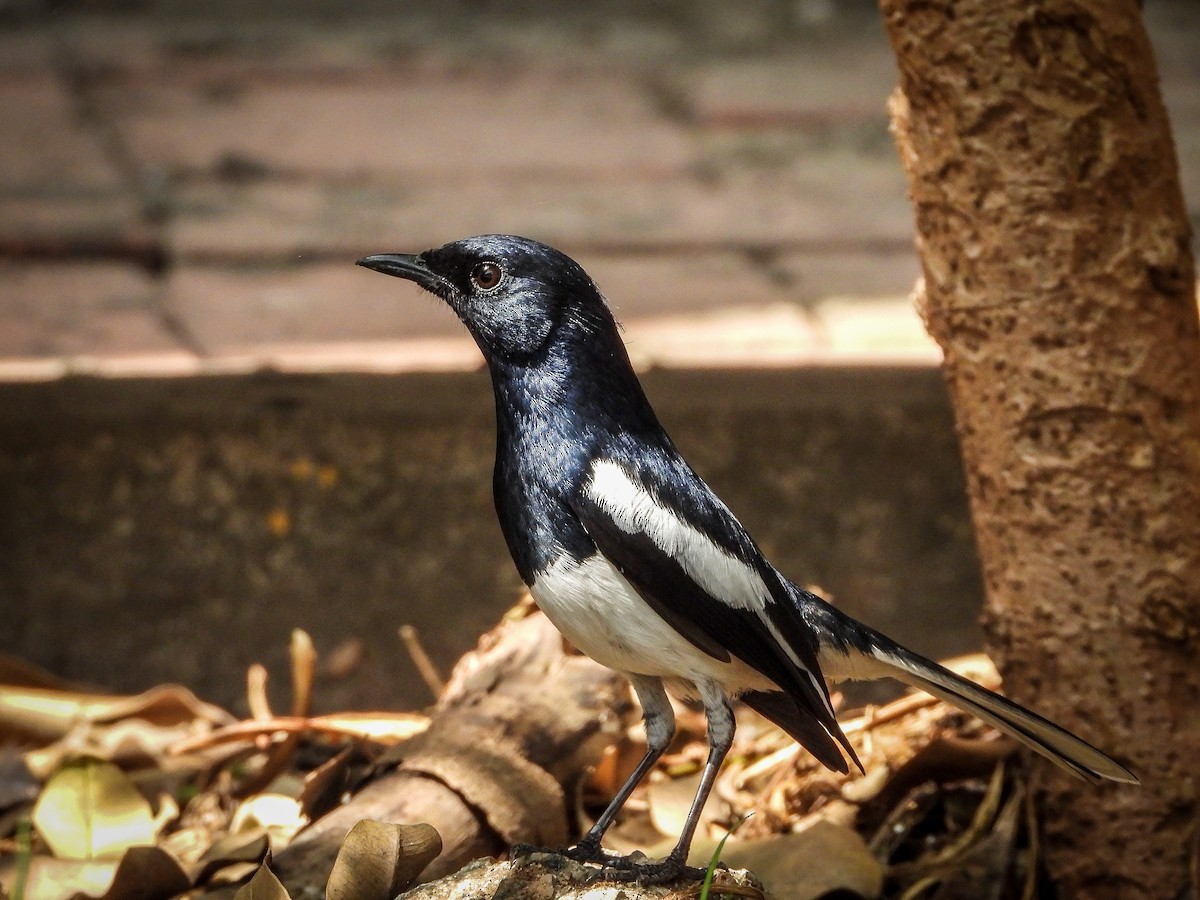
{"x": 633, "y": 556}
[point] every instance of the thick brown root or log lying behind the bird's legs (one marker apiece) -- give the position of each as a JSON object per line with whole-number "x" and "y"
{"x": 514, "y": 733}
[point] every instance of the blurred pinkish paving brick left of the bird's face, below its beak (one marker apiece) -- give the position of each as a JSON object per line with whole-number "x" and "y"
{"x": 230, "y": 310}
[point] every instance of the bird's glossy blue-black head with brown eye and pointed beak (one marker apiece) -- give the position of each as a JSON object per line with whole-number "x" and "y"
{"x": 513, "y": 293}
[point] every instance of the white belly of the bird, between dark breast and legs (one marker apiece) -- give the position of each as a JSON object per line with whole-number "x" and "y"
{"x": 598, "y": 611}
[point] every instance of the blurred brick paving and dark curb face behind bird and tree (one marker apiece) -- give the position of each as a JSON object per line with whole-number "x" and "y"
{"x": 218, "y": 429}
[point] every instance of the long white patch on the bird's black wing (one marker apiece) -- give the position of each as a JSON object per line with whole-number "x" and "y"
{"x": 635, "y": 511}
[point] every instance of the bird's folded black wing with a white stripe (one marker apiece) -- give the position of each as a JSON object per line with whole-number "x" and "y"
{"x": 694, "y": 565}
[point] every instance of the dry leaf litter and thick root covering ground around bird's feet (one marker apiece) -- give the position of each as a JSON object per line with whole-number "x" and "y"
{"x": 159, "y": 796}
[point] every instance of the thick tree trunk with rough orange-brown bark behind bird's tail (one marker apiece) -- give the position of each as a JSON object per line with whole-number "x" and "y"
{"x": 1060, "y": 284}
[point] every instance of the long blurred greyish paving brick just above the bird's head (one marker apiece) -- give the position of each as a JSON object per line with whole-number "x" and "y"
{"x": 827, "y": 201}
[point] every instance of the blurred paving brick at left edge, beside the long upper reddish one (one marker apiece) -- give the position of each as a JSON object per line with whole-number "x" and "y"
{"x": 45, "y": 145}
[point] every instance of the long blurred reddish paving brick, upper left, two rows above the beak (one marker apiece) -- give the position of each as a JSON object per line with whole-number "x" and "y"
{"x": 469, "y": 123}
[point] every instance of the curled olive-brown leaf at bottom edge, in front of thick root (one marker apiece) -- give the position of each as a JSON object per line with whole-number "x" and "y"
{"x": 377, "y": 861}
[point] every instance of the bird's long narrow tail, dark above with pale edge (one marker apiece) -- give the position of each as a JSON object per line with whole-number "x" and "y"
{"x": 1055, "y": 743}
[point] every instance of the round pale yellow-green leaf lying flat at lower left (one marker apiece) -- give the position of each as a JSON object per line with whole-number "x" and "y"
{"x": 91, "y": 811}
